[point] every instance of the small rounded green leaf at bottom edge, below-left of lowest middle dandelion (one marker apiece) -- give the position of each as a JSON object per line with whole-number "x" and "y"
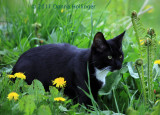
{"x": 44, "y": 110}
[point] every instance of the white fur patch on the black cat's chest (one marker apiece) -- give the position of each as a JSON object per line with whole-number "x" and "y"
{"x": 101, "y": 75}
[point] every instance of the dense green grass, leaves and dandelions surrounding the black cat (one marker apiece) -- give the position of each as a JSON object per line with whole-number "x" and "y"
{"x": 133, "y": 90}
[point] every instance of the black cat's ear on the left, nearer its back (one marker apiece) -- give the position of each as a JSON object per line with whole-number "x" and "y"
{"x": 99, "y": 42}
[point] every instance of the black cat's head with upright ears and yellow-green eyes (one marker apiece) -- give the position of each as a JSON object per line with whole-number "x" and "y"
{"x": 107, "y": 54}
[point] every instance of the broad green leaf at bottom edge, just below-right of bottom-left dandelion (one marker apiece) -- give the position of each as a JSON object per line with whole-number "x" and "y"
{"x": 27, "y": 105}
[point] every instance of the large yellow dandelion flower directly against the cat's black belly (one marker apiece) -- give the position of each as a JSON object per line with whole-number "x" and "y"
{"x": 59, "y": 82}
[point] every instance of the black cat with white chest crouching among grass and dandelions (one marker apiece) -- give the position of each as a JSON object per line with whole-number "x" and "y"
{"x": 48, "y": 62}
